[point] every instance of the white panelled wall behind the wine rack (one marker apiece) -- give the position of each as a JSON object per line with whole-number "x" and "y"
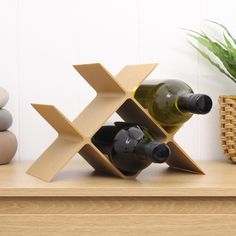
{"x": 41, "y": 40}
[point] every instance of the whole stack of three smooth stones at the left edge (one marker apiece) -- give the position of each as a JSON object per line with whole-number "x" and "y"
{"x": 8, "y": 142}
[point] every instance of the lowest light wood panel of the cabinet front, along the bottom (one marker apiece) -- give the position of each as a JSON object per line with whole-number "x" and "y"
{"x": 71, "y": 224}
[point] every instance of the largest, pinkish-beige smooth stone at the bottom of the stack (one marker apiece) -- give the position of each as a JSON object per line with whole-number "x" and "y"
{"x": 8, "y": 146}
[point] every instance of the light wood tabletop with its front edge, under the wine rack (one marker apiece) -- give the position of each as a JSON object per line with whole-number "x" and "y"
{"x": 79, "y": 179}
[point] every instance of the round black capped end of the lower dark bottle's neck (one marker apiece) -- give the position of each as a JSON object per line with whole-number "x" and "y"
{"x": 161, "y": 153}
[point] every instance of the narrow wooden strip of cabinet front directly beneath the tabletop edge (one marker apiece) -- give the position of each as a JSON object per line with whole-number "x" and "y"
{"x": 121, "y": 205}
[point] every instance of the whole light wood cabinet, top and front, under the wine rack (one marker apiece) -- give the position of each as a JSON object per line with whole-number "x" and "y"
{"x": 160, "y": 201}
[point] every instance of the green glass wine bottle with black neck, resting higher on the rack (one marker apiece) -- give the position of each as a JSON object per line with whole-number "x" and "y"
{"x": 172, "y": 102}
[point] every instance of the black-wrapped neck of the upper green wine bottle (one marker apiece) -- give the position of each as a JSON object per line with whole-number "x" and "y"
{"x": 194, "y": 103}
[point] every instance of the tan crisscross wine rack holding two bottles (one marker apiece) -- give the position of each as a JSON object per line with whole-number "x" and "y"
{"x": 114, "y": 94}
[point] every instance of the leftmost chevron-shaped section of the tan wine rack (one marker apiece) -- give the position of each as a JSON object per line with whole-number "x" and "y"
{"x": 57, "y": 155}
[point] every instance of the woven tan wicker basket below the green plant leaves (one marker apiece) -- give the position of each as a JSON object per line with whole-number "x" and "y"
{"x": 228, "y": 125}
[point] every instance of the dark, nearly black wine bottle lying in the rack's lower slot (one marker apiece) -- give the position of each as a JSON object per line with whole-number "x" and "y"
{"x": 130, "y": 147}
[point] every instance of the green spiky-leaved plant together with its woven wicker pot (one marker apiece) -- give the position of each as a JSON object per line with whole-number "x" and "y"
{"x": 225, "y": 51}
